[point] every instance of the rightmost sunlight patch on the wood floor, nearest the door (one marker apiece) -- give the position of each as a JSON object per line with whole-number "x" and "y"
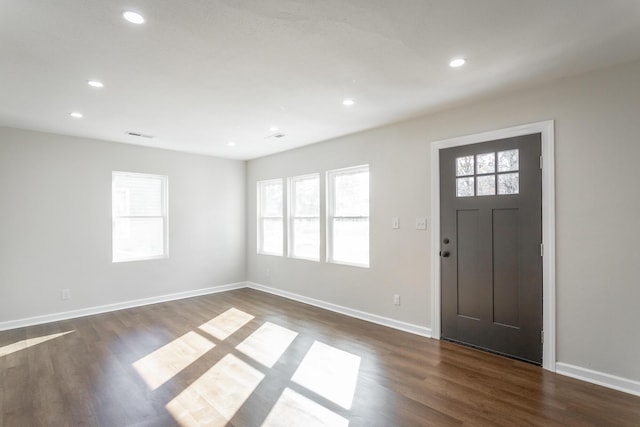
{"x": 330, "y": 372}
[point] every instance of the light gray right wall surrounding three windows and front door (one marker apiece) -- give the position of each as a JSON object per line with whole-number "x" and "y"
{"x": 597, "y": 166}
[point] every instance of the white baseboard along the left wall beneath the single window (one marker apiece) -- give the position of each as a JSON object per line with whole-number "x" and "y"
{"x": 54, "y": 317}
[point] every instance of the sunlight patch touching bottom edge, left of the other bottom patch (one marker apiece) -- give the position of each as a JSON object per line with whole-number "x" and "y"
{"x": 215, "y": 397}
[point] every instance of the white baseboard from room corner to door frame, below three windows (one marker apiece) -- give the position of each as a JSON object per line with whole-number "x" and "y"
{"x": 373, "y": 318}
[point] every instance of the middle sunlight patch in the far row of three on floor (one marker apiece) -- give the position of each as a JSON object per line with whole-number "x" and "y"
{"x": 267, "y": 344}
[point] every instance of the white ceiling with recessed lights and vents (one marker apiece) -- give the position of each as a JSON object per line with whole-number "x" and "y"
{"x": 200, "y": 73}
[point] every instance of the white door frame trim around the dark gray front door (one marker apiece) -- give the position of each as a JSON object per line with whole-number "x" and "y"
{"x": 546, "y": 129}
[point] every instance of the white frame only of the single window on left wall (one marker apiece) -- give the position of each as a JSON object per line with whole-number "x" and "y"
{"x": 164, "y": 195}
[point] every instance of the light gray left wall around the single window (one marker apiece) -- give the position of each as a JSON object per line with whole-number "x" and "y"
{"x": 55, "y": 224}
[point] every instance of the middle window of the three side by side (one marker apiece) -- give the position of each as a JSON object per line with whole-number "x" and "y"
{"x": 304, "y": 217}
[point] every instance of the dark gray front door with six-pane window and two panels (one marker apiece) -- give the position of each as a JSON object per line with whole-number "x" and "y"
{"x": 491, "y": 235}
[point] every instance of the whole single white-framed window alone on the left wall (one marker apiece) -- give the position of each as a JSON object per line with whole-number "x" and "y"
{"x": 139, "y": 216}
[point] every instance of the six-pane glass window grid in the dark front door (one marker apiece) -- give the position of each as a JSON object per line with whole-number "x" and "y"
{"x": 476, "y": 174}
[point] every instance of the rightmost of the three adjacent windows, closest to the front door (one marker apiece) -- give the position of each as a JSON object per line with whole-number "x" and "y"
{"x": 348, "y": 216}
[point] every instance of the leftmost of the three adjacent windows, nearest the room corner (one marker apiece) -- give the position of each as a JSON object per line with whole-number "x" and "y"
{"x": 270, "y": 217}
